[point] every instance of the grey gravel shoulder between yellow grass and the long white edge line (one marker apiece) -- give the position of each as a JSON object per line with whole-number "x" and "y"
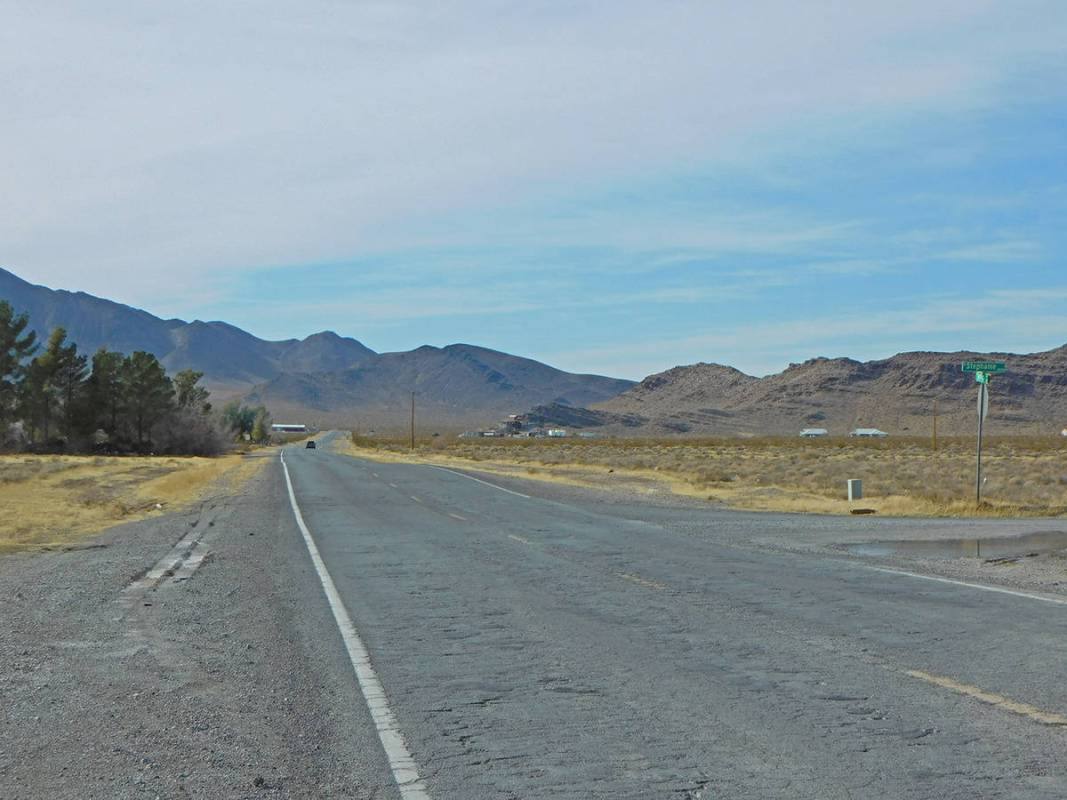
{"x": 222, "y": 678}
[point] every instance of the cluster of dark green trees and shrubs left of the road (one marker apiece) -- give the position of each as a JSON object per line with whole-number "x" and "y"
{"x": 55, "y": 398}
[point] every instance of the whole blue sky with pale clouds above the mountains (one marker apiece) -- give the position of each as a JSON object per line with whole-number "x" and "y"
{"x": 614, "y": 188}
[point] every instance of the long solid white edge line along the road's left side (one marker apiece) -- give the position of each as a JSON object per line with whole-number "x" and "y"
{"x": 405, "y": 770}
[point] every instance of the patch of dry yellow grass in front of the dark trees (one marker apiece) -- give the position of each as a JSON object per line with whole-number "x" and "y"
{"x": 52, "y": 502}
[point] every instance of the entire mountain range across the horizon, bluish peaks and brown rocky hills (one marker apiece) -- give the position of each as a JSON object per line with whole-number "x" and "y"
{"x": 330, "y": 380}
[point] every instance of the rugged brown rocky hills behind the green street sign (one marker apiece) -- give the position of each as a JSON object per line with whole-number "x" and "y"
{"x": 899, "y": 395}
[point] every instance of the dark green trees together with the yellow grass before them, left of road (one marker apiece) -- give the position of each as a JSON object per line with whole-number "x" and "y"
{"x": 92, "y": 442}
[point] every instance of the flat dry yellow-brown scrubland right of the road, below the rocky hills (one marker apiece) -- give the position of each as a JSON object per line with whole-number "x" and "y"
{"x": 1025, "y": 477}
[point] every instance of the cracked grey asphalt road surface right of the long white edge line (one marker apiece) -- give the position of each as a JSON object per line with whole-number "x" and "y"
{"x": 532, "y": 648}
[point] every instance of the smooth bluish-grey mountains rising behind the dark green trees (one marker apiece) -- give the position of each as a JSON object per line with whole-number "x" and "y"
{"x": 325, "y": 379}
